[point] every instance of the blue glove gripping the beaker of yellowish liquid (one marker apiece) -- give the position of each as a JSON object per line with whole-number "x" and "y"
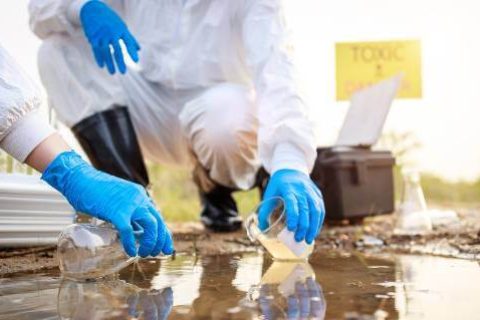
{"x": 304, "y": 206}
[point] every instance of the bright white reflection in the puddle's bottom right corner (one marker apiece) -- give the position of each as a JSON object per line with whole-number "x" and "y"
{"x": 436, "y": 288}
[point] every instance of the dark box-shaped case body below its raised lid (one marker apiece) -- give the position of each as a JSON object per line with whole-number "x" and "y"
{"x": 355, "y": 182}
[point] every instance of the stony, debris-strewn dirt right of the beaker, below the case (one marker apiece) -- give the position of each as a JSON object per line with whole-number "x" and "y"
{"x": 459, "y": 240}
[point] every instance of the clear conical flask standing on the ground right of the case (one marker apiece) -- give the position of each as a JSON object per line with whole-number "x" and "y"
{"x": 412, "y": 217}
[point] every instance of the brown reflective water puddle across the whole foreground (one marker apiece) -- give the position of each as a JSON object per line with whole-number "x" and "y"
{"x": 251, "y": 286}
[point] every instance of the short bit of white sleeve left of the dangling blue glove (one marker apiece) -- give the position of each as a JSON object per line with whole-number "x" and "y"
{"x": 48, "y": 17}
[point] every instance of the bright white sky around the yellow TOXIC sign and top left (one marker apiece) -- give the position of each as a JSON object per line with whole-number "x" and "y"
{"x": 446, "y": 120}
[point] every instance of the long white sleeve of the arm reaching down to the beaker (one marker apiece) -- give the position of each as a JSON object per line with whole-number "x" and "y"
{"x": 286, "y": 137}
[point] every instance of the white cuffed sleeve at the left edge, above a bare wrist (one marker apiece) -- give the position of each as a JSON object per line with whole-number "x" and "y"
{"x": 21, "y": 128}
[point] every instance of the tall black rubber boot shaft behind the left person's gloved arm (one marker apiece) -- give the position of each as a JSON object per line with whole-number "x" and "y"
{"x": 110, "y": 142}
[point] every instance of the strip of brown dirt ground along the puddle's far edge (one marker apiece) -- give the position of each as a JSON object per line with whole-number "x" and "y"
{"x": 375, "y": 234}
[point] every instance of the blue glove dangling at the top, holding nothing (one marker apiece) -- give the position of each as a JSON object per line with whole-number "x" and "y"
{"x": 104, "y": 29}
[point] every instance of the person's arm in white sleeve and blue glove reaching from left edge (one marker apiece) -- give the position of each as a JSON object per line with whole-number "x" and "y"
{"x": 30, "y": 139}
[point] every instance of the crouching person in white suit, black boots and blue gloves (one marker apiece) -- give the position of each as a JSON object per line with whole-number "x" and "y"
{"x": 214, "y": 89}
